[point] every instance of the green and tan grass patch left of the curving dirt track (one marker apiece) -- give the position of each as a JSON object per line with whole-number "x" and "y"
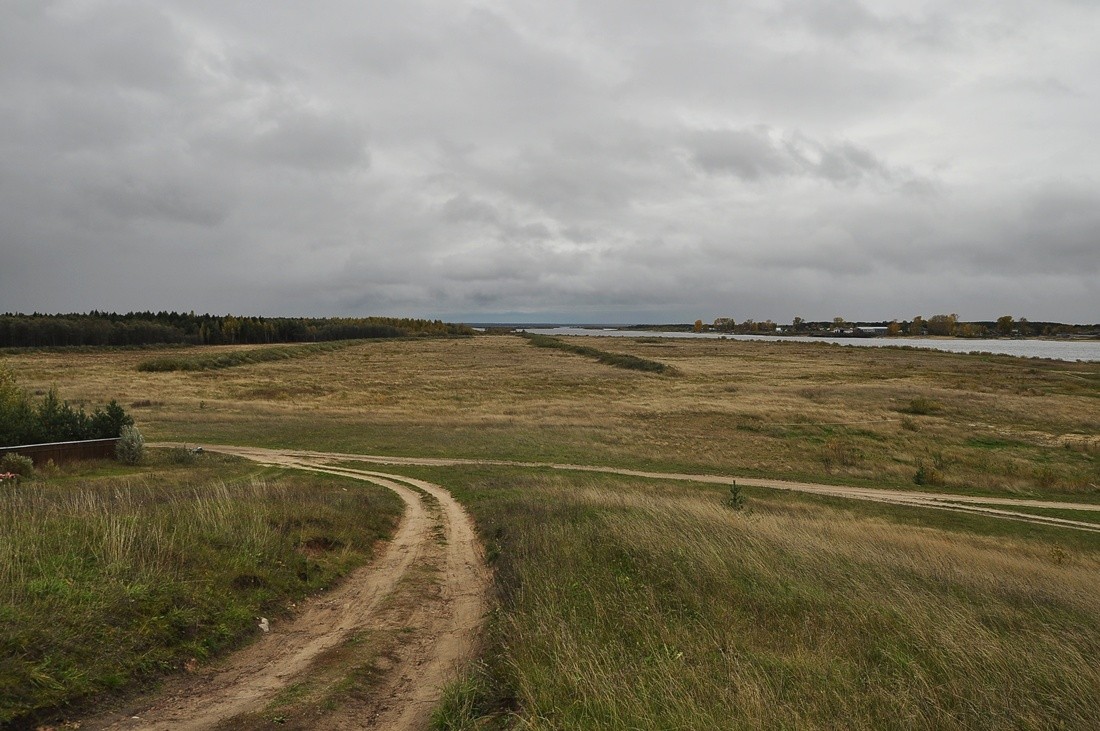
{"x": 108, "y": 582}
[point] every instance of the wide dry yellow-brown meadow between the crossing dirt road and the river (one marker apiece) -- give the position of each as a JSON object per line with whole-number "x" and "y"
{"x": 785, "y": 409}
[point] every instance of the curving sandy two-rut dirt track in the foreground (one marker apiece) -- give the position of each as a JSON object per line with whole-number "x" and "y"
{"x": 443, "y": 632}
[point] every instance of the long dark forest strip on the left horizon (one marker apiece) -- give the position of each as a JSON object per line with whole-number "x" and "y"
{"x": 166, "y": 328}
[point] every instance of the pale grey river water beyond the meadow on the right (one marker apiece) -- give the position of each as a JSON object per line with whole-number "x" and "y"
{"x": 1058, "y": 350}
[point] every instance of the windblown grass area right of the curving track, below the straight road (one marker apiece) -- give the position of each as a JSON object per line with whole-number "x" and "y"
{"x": 626, "y": 604}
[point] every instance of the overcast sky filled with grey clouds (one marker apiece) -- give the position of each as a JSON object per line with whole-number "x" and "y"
{"x": 600, "y": 161}
